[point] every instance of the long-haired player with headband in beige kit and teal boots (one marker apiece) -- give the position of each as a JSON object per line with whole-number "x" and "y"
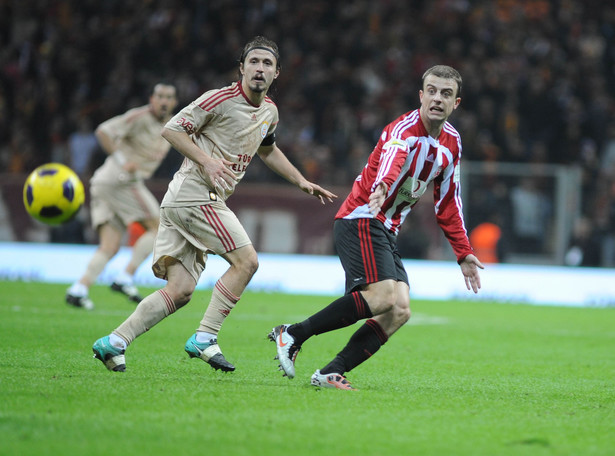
{"x": 219, "y": 134}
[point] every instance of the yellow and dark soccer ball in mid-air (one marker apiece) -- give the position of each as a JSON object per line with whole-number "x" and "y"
{"x": 53, "y": 193}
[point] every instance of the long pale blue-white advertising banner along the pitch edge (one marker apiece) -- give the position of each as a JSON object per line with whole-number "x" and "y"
{"x": 323, "y": 275}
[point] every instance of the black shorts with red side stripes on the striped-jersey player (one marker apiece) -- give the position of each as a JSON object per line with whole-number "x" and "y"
{"x": 368, "y": 252}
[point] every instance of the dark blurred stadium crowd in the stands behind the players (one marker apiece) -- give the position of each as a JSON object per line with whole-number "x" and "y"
{"x": 541, "y": 78}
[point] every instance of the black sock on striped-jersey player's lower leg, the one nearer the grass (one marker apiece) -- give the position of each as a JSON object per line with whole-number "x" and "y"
{"x": 366, "y": 341}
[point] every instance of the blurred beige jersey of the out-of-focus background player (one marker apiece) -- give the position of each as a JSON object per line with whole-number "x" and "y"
{"x": 137, "y": 138}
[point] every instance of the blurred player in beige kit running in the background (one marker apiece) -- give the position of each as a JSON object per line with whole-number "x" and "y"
{"x": 118, "y": 195}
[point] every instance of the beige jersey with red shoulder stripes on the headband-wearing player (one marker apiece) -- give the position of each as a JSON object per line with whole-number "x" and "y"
{"x": 224, "y": 124}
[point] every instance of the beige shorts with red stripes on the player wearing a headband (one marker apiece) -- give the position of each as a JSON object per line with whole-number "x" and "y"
{"x": 188, "y": 234}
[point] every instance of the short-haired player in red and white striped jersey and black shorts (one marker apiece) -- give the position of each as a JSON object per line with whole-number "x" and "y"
{"x": 417, "y": 149}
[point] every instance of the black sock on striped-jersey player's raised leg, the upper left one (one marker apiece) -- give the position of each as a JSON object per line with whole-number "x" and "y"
{"x": 340, "y": 313}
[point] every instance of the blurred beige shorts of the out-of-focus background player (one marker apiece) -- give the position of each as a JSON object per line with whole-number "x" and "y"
{"x": 121, "y": 205}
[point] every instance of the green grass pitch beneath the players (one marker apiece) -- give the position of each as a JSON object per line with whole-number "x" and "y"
{"x": 464, "y": 378}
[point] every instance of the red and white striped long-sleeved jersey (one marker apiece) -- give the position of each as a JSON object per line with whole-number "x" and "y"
{"x": 407, "y": 159}
